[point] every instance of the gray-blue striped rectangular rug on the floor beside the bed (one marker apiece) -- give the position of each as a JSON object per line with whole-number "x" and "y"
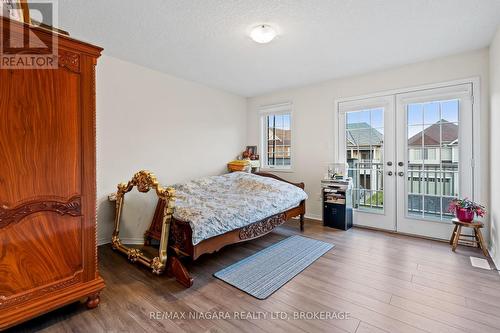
{"x": 266, "y": 271}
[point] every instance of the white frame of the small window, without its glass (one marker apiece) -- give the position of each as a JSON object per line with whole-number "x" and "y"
{"x": 275, "y": 109}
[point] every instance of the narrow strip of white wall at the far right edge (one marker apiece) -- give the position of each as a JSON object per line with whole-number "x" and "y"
{"x": 495, "y": 150}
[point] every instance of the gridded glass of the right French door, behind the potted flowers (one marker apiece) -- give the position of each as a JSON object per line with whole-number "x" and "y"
{"x": 432, "y": 154}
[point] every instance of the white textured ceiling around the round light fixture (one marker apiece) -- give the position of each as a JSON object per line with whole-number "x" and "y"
{"x": 206, "y": 40}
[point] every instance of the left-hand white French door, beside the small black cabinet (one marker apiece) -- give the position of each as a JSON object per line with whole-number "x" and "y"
{"x": 367, "y": 145}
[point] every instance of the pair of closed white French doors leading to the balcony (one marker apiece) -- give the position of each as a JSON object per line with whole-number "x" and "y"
{"x": 409, "y": 155}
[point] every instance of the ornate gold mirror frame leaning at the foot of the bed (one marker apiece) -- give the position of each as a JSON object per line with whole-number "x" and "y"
{"x": 145, "y": 180}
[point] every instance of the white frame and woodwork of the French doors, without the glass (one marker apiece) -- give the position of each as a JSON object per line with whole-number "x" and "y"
{"x": 394, "y": 216}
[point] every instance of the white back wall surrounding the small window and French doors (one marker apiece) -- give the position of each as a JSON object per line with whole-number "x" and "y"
{"x": 314, "y": 135}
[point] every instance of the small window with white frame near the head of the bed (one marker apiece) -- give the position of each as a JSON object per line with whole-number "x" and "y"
{"x": 276, "y": 136}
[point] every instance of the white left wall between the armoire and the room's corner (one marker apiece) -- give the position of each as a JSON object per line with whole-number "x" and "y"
{"x": 149, "y": 120}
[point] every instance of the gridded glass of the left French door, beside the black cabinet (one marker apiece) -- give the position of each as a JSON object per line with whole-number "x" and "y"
{"x": 364, "y": 153}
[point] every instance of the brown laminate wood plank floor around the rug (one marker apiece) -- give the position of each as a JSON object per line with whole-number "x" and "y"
{"x": 386, "y": 282}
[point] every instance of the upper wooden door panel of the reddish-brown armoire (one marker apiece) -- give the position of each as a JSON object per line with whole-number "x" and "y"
{"x": 39, "y": 161}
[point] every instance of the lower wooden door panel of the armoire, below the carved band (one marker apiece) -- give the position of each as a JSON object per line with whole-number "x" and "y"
{"x": 39, "y": 249}
